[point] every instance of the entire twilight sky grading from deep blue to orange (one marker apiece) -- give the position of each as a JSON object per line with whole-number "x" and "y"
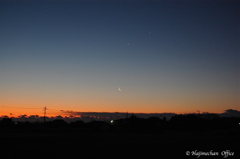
{"x": 166, "y": 56}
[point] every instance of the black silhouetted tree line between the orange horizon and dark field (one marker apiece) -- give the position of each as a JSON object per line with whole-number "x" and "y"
{"x": 178, "y": 123}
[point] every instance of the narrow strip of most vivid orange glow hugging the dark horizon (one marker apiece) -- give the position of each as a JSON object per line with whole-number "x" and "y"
{"x": 55, "y": 111}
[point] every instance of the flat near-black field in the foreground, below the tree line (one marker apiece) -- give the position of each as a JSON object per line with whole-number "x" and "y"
{"x": 117, "y": 145}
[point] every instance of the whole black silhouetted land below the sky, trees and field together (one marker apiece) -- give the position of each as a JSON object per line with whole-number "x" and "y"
{"x": 131, "y": 137}
